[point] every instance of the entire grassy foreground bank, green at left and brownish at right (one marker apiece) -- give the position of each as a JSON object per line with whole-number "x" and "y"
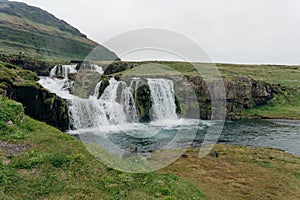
{"x": 39, "y": 162}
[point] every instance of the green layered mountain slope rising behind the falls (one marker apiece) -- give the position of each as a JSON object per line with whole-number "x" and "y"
{"x": 37, "y": 33}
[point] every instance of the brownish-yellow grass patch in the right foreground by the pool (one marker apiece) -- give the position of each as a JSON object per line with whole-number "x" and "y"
{"x": 241, "y": 173}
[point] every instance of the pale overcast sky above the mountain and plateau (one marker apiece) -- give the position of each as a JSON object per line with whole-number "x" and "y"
{"x": 231, "y": 31}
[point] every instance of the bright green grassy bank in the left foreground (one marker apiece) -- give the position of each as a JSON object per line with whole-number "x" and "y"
{"x": 58, "y": 166}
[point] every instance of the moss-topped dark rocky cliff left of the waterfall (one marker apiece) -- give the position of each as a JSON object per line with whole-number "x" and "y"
{"x": 21, "y": 85}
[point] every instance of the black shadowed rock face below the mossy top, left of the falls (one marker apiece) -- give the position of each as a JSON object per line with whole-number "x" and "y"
{"x": 41, "y": 105}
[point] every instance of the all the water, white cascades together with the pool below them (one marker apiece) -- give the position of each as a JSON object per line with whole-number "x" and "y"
{"x": 113, "y": 117}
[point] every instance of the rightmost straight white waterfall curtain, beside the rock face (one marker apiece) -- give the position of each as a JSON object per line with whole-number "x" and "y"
{"x": 163, "y": 99}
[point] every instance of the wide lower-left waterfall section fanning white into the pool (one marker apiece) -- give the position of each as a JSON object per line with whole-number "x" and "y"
{"x": 110, "y": 109}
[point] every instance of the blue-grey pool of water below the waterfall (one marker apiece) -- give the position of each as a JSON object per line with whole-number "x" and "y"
{"x": 279, "y": 134}
